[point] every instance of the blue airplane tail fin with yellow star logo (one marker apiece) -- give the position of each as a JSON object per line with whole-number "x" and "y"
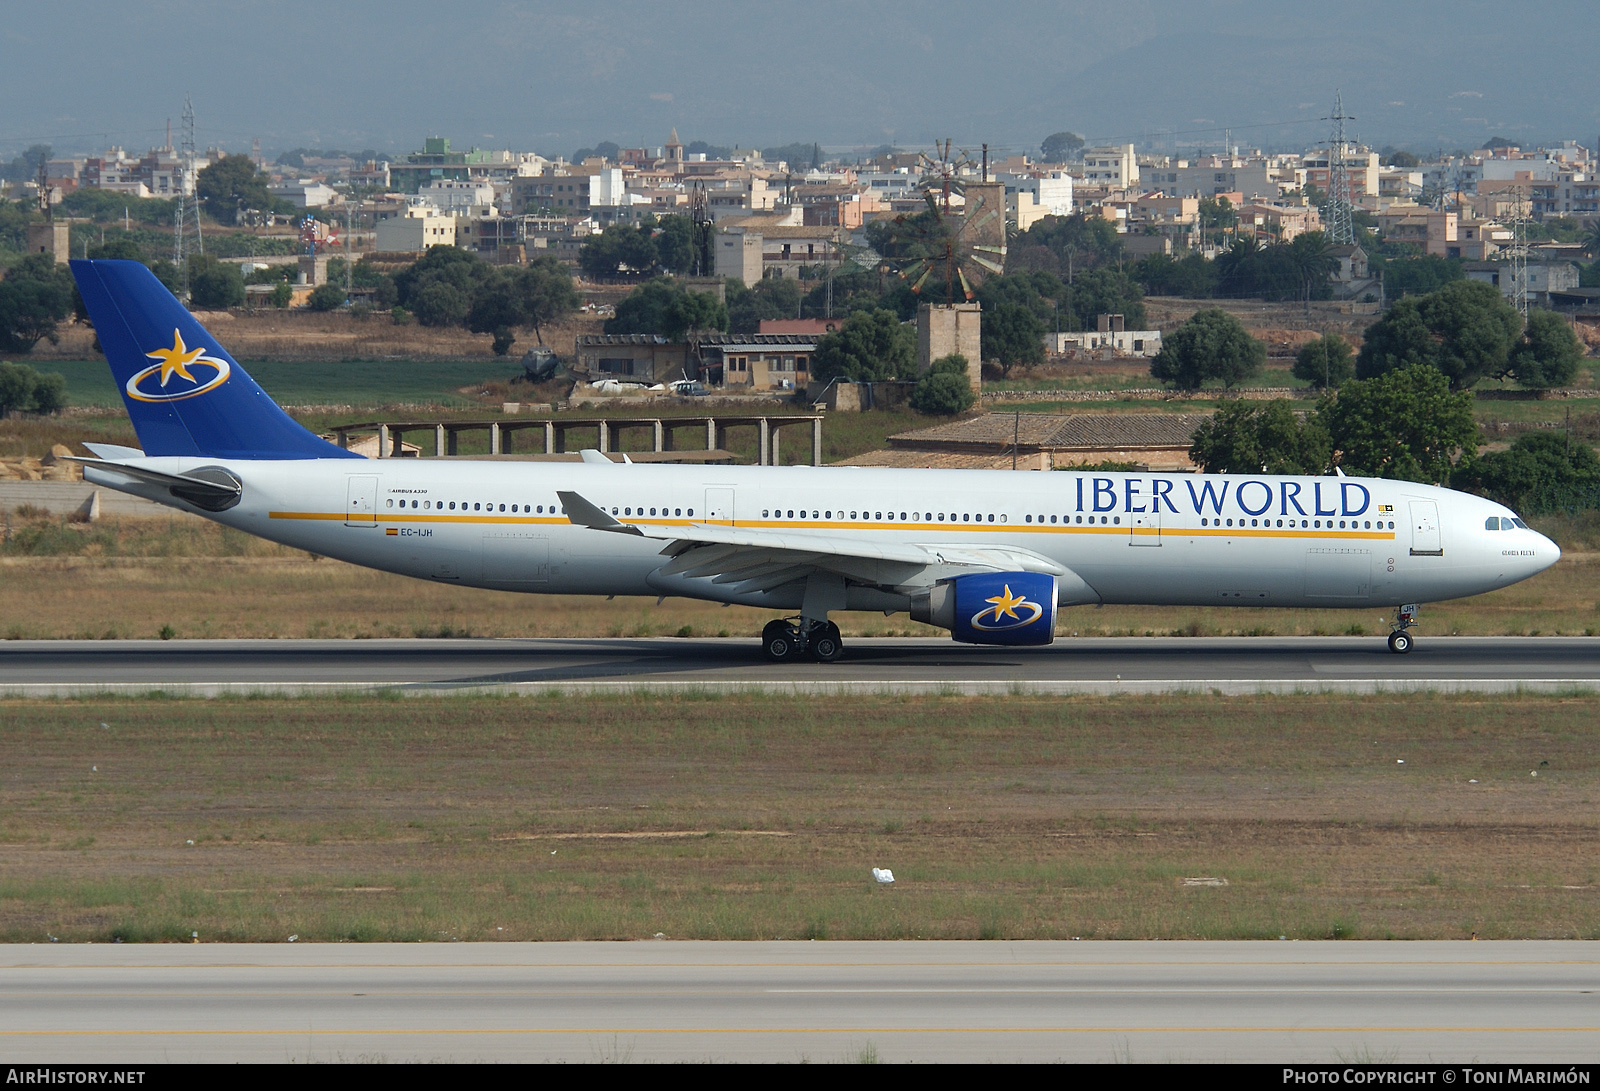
{"x": 185, "y": 394}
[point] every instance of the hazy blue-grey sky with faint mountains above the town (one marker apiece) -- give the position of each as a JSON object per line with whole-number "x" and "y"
{"x": 554, "y": 78}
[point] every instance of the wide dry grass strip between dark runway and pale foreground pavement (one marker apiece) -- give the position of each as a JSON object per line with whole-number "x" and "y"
{"x": 761, "y": 818}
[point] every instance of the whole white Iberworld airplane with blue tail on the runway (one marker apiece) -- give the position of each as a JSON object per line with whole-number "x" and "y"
{"x": 991, "y": 556}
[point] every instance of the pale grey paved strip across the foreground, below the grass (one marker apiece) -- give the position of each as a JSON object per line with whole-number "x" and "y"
{"x": 1308, "y": 1002}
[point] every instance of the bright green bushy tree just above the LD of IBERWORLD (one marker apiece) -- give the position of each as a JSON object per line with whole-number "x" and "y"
{"x": 1404, "y": 425}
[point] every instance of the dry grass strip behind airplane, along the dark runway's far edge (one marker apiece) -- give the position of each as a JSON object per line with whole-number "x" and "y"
{"x": 132, "y": 578}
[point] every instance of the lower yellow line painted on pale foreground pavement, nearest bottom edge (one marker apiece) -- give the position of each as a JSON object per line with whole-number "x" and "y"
{"x": 684, "y": 1031}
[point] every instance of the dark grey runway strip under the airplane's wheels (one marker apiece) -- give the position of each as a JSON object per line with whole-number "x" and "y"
{"x": 1233, "y": 666}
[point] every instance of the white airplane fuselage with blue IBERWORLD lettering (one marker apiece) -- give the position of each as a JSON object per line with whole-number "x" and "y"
{"x": 1134, "y": 538}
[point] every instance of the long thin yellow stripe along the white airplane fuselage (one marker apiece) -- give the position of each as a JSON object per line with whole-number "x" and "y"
{"x": 823, "y": 526}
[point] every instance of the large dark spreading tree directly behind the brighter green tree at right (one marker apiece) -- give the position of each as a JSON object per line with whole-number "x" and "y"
{"x": 1466, "y": 330}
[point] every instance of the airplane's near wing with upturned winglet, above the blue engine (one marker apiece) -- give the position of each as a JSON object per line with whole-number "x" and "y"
{"x": 748, "y": 561}
